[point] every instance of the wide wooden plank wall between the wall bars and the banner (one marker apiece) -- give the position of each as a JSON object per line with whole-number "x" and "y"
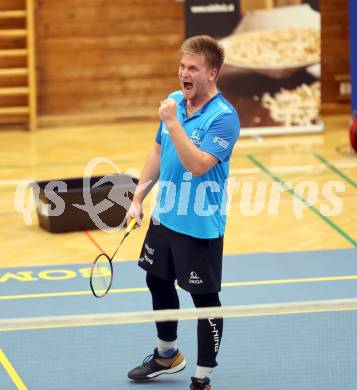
{"x": 106, "y": 56}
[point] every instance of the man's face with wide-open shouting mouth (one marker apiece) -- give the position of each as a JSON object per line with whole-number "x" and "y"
{"x": 194, "y": 76}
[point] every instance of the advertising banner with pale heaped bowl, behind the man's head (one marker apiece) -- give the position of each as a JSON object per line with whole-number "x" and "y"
{"x": 272, "y": 66}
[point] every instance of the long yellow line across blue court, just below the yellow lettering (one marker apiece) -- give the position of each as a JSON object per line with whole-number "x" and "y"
{"x": 145, "y": 289}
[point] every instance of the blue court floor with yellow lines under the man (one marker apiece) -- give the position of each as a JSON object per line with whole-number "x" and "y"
{"x": 316, "y": 351}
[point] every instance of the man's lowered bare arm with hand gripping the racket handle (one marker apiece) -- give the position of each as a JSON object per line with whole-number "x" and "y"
{"x": 149, "y": 176}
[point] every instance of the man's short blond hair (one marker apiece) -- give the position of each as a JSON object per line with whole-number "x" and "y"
{"x": 209, "y": 47}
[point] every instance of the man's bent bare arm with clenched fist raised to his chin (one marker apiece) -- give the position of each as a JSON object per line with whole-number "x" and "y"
{"x": 193, "y": 159}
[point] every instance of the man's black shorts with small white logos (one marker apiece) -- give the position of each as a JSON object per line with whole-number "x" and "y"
{"x": 196, "y": 263}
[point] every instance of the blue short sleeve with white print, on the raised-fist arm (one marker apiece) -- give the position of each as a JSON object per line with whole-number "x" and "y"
{"x": 221, "y": 137}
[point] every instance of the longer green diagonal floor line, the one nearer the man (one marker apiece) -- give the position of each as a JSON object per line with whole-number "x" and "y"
{"x": 302, "y": 199}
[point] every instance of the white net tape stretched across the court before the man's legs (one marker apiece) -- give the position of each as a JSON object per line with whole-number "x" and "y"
{"x": 178, "y": 314}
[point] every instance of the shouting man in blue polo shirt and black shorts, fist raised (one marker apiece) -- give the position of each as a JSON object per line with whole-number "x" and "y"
{"x": 190, "y": 159}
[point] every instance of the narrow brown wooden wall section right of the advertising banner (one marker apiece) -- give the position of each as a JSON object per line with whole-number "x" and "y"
{"x": 334, "y": 55}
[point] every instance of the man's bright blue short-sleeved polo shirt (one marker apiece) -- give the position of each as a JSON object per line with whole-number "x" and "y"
{"x": 196, "y": 205}
